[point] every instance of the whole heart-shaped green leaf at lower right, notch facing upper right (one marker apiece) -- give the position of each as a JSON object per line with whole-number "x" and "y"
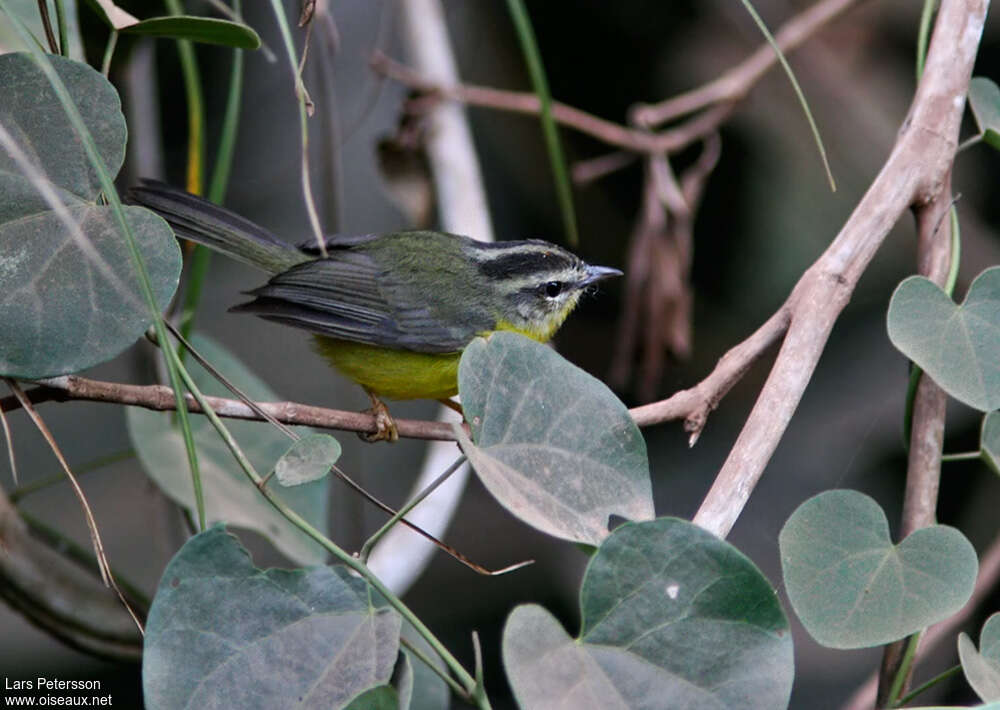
{"x": 852, "y": 588}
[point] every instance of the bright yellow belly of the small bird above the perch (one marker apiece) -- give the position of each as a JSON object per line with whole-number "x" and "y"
{"x": 393, "y": 374}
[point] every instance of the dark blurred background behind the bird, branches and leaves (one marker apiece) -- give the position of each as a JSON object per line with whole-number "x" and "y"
{"x": 767, "y": 214}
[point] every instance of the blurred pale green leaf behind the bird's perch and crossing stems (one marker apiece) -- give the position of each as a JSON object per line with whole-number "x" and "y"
{"x": 229, "y": 496}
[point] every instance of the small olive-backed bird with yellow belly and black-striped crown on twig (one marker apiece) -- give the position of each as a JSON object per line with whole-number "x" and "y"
{"x": 392, "y": 312}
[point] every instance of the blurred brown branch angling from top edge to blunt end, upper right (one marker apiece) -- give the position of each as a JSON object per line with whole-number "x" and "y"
{"x": 736, "y": 83}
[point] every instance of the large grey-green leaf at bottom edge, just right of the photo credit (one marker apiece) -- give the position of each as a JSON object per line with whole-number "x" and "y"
{"x": 224, "y": 634}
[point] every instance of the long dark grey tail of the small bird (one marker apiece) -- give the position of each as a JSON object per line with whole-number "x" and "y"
{"x": 217, "y": 228}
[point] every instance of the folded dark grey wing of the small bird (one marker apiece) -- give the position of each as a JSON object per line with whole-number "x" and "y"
{"x": 345, "y": 296}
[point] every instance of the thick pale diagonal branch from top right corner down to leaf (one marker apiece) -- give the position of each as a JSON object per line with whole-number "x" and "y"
{"x": 915, "y": 173}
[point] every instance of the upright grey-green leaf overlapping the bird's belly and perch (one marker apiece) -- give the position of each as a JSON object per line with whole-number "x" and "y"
{"x": 553, "y": 444}
